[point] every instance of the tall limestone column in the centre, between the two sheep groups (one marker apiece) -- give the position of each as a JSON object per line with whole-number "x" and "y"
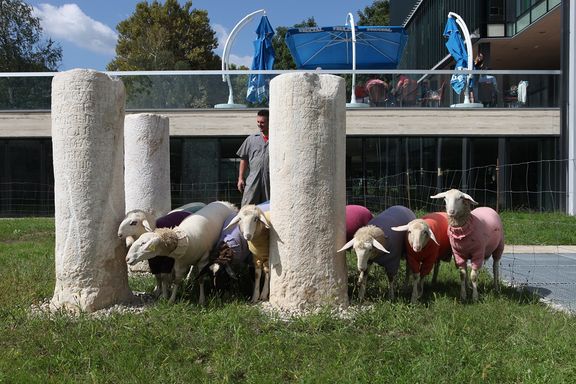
{"x": 307, "y": 180}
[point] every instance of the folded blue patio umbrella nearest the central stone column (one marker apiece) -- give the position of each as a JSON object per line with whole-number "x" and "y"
{"x": 258, "y": 85}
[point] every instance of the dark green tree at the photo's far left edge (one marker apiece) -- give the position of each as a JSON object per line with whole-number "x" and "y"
{"x": 23, "y": 50}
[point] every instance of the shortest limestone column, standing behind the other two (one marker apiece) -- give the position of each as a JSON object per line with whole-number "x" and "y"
{"x": 147, "y": 163}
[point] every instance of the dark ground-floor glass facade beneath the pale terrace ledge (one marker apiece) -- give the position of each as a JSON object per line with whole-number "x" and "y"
{"x": 507, "y": 173}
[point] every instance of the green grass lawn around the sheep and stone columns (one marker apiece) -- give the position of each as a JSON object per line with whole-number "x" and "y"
{"x": 507, "y": 337}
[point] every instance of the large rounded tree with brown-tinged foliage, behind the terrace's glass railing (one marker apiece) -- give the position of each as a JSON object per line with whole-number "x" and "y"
{"x": 167, "y": 36}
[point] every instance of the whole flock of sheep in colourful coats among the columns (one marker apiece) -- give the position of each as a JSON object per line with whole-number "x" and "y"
{"x": 214, "y": 238}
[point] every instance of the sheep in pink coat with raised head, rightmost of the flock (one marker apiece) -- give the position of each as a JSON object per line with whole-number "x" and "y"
{"x": 474, "y": 235}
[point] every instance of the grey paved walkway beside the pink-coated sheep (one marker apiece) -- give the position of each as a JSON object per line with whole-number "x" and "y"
{"x": 549, "y": 271}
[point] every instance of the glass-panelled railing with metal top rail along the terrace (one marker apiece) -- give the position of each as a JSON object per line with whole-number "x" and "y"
{"x": 163, "y": 90}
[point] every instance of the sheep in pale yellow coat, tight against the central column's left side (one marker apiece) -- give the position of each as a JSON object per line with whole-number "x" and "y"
{"x": 254, "y": 225}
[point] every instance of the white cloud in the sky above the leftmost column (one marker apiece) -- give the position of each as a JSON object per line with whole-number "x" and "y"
{"x": 69, "y": 23}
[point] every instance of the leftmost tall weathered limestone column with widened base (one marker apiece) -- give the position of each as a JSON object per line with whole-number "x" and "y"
{"x": 87, "y": 141}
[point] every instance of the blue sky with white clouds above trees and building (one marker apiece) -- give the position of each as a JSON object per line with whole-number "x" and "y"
{"x": 86, "y": 29}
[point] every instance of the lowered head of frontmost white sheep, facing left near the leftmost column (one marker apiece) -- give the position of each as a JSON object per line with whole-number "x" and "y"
{"x": 150, "y": 244}
